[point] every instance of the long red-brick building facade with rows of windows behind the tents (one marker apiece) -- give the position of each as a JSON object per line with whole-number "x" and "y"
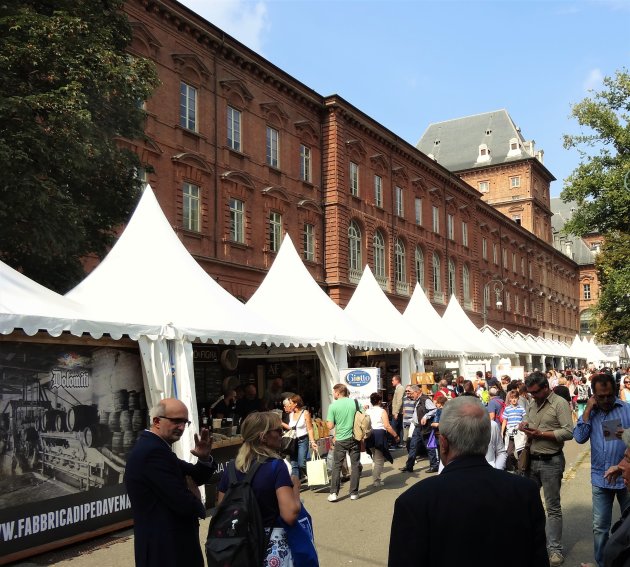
{"x": 241, "y": 153}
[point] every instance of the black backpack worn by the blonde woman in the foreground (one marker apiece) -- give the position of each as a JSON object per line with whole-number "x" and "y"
{"x": 236, "y": 536}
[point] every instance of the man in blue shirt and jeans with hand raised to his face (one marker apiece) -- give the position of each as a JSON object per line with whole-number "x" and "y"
{"x": 598, "y": 424}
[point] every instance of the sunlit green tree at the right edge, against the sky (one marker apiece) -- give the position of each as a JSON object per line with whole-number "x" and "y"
{"x": 600, "y": 186}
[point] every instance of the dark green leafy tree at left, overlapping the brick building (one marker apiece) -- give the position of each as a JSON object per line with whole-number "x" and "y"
{"x": 69, "y": 92}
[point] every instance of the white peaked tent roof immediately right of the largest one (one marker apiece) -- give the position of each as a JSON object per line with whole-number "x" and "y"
{"x": 292, "y": 297}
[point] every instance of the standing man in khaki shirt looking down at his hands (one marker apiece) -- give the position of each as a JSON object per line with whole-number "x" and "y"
{"x": 548, "y": 424}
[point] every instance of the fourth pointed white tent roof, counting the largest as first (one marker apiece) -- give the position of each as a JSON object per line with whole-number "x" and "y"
{"x": 433, "y": 338}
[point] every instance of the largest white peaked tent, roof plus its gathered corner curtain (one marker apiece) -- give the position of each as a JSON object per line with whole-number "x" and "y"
{"x": 149, "y": 276}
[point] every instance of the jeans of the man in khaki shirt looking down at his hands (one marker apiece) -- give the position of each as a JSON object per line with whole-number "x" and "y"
{"x": 548, "y": 475}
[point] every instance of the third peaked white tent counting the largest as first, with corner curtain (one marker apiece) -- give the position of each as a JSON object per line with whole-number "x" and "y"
{"x": 371, "y": 308}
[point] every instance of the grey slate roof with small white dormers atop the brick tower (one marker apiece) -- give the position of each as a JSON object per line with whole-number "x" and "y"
{"x": 455, "y": 143}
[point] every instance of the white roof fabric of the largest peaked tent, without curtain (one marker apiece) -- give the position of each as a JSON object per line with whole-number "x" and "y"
{"x": 149, "y": 277}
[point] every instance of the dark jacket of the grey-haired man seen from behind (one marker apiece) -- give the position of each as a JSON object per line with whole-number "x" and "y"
{"x": 471, "y": 514}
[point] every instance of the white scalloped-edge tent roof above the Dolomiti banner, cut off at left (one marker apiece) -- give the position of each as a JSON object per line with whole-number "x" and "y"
{"x": 27, "y": 305}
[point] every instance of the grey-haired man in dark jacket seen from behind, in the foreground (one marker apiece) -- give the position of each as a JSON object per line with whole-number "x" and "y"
{"x": 468, "y": 493}
